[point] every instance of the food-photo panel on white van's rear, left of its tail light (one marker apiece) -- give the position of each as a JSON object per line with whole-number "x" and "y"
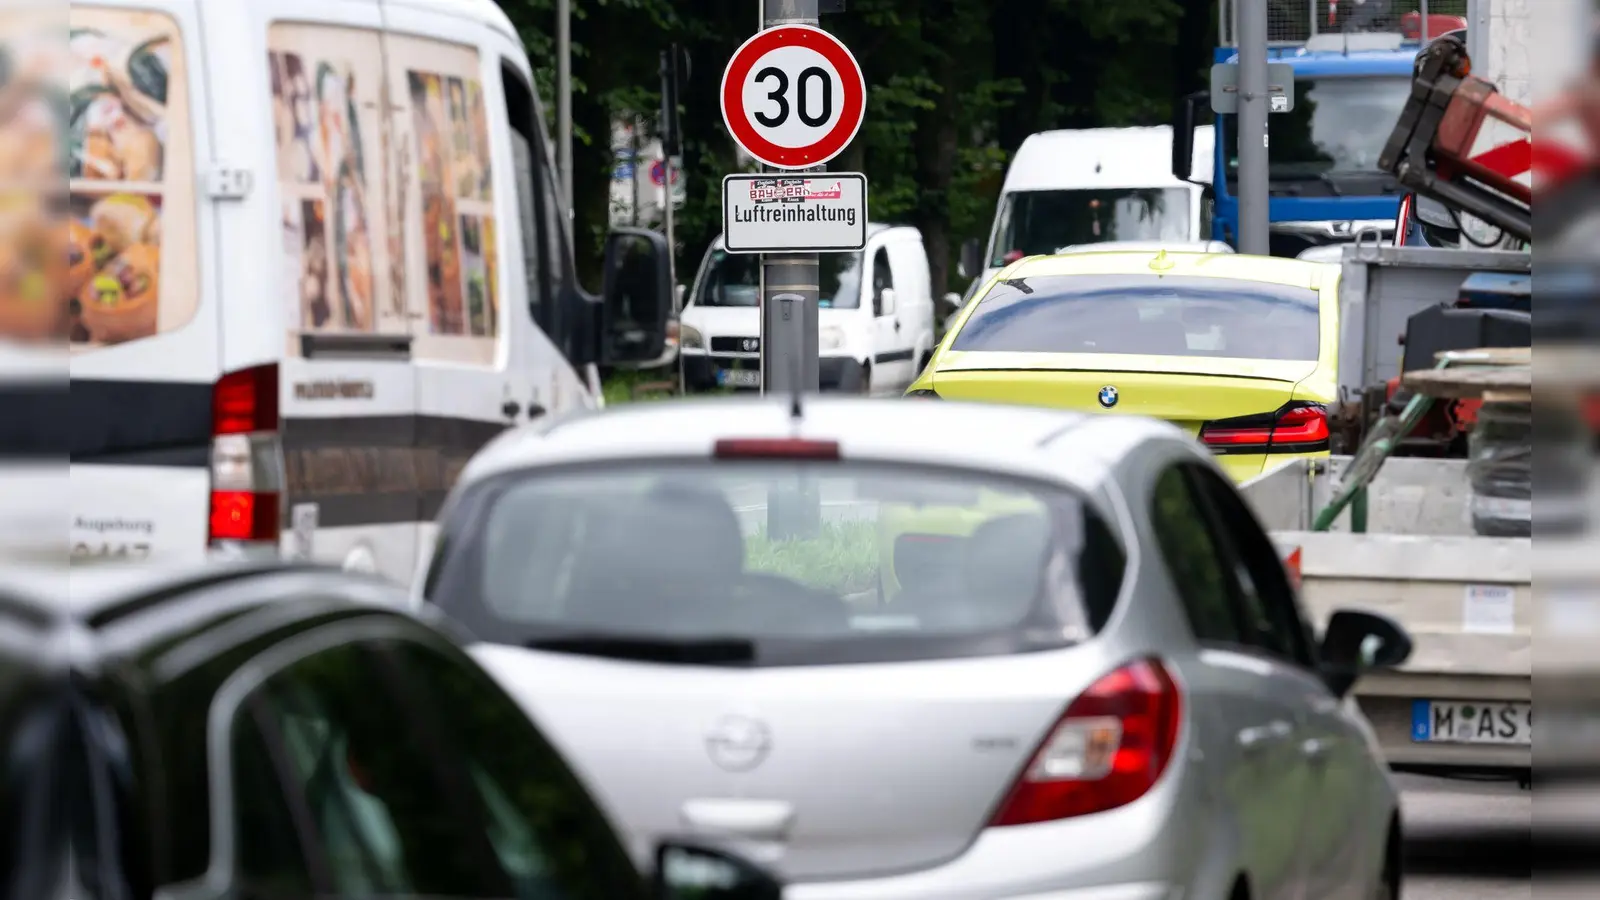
{"x": 130, "y": 177}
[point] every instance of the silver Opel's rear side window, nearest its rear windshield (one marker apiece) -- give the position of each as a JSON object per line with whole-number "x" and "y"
{"x": 1194, "y": 560}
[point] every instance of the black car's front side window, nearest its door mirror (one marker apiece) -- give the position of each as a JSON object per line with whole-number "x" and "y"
{"x": 546, "y": 832}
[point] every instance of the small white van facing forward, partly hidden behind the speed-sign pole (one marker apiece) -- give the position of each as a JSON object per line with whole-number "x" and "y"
{"x": 876, "y": 318}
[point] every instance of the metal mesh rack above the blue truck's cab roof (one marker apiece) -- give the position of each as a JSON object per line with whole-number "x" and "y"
{"x": 1297, "y": 22}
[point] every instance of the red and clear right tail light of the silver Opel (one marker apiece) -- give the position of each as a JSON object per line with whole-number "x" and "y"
{"x": 1108, "y": 750}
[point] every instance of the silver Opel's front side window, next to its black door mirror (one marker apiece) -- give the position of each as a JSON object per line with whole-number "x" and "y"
{"x": 1270, "y": 603}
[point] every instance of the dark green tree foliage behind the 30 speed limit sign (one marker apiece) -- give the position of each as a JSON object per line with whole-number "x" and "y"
{"x": 953, "y": 90}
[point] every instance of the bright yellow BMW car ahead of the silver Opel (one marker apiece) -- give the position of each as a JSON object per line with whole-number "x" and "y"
{"x": 1241, "y": 352}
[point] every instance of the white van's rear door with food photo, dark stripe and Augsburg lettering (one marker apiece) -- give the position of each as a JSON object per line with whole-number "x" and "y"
{"x": 142, "y": 289}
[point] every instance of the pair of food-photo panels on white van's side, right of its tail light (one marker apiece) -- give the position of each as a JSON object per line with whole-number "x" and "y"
{"x": 348, "y": 175}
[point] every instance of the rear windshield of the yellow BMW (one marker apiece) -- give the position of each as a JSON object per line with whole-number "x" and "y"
{"x": 1146, "y": 315}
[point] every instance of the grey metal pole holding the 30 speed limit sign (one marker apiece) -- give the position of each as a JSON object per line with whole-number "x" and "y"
{"x": 790, "y": 327}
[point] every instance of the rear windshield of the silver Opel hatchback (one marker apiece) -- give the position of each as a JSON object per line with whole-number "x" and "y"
{"x": 777, "y": 563}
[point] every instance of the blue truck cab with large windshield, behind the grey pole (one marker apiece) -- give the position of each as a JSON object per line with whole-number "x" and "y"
{"x": 1324, "y": 179}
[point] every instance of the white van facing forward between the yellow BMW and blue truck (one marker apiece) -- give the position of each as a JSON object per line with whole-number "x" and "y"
{"x": 1089, "y": 187}
